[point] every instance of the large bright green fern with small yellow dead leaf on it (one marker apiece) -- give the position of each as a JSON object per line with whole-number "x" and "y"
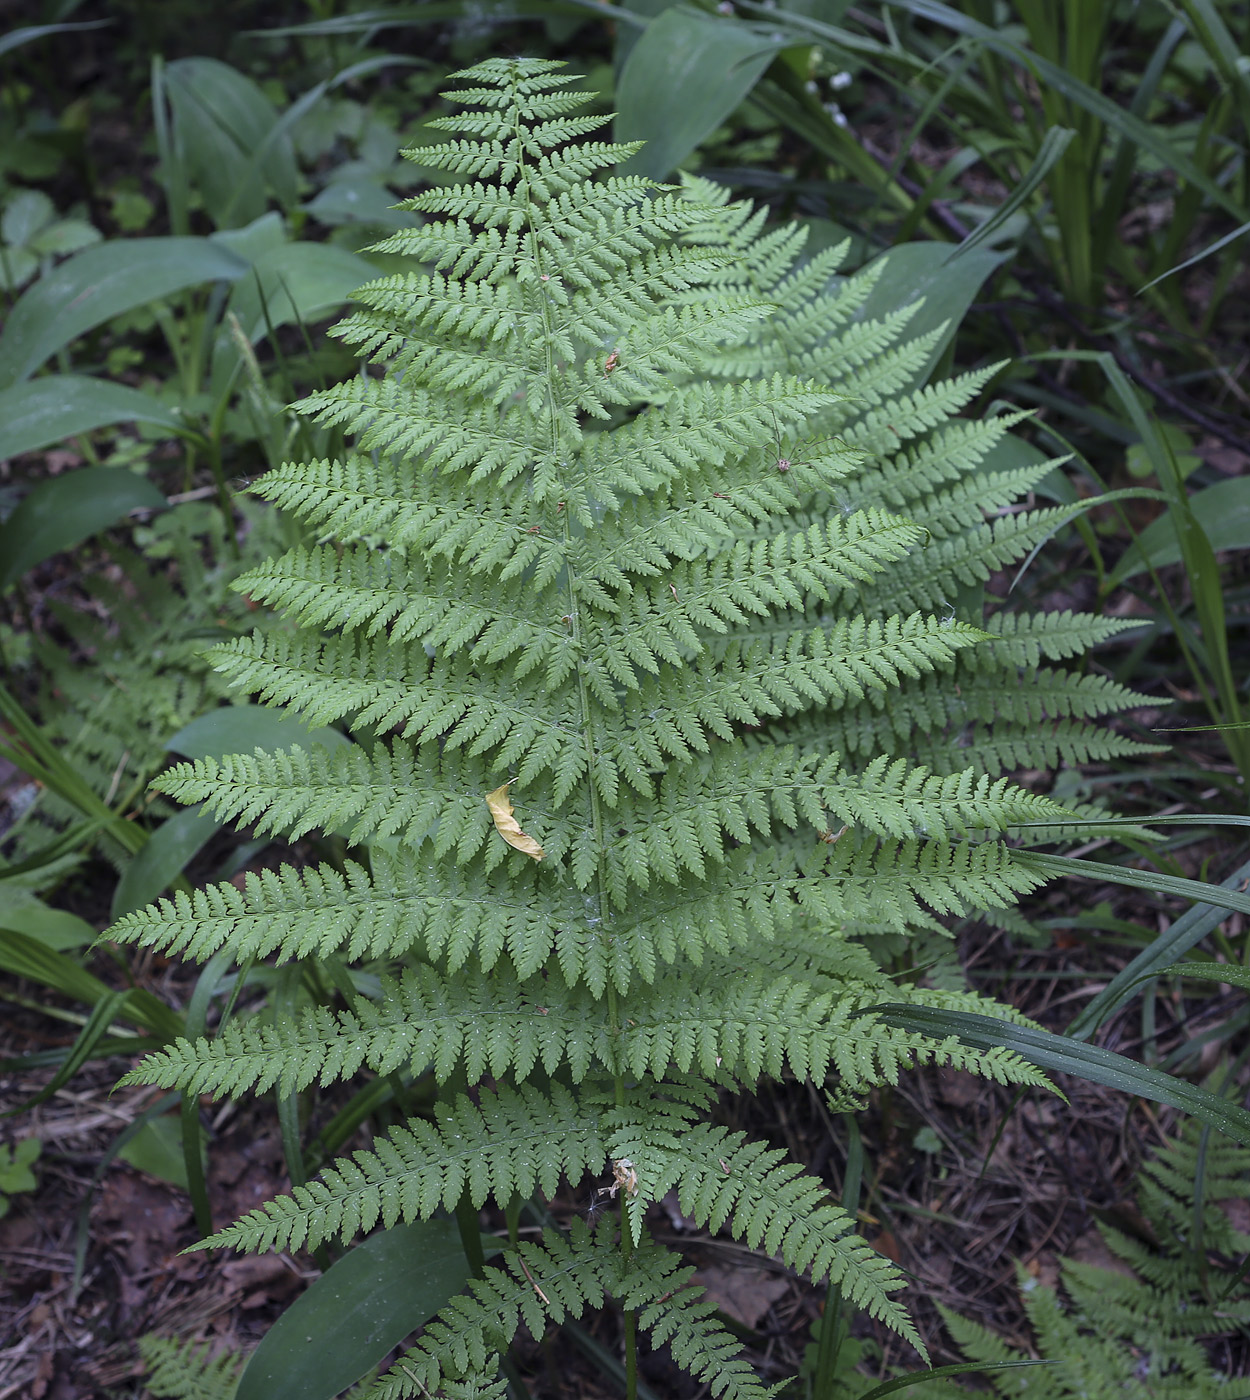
{"x": 632, "y": 685}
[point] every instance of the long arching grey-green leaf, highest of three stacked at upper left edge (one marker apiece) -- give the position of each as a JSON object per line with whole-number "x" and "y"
{"x": 101, "y": 283}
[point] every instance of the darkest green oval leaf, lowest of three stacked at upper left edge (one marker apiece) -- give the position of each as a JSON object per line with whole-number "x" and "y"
{"x": 66, "y": 510}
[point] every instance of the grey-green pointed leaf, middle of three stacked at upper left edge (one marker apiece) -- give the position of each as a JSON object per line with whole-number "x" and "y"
{"x": 58, "y": 407}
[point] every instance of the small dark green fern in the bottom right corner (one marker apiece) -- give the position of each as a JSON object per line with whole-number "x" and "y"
{"x": 1139, "y": 1332}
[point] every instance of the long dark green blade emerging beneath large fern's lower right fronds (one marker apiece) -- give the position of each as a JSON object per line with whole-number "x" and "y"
{"x": 1059, "y": 1055}
